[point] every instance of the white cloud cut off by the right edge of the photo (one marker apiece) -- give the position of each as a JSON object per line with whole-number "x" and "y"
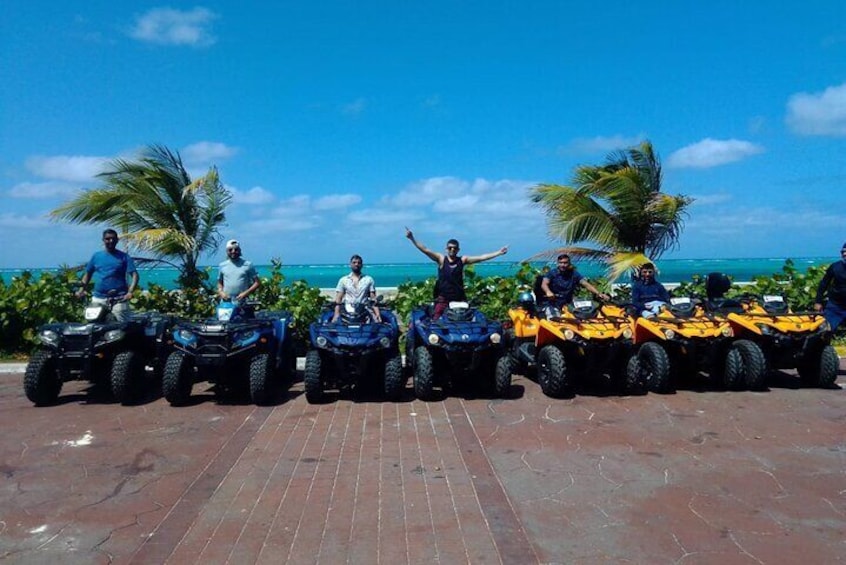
{"x": 818, "y": 113}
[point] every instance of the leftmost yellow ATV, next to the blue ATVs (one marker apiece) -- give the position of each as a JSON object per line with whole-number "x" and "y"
{"x": 582, "y": 339}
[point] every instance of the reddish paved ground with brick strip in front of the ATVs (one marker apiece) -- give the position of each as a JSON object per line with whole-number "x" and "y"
{"x": 700, "y": 476}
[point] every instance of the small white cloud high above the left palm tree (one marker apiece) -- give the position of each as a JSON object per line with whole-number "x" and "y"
{"x": 166, "y": 26}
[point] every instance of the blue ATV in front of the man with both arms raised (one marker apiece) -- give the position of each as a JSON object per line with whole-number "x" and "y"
{"x": 461, "y": 345}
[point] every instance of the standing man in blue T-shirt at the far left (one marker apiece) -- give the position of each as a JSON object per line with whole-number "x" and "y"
{"x": 111, "y": 266}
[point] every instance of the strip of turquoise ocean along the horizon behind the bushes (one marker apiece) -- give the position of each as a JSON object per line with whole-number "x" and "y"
{"x": 390, "y": 275}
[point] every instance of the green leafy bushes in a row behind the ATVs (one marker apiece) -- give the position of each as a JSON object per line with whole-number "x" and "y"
{"x": 28, "y": 302}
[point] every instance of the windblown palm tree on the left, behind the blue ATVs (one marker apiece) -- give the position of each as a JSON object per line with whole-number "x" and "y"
{"x": 158, "y": 208}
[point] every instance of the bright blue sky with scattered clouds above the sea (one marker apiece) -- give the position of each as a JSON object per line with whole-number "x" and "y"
{"x": 335, "y": 124}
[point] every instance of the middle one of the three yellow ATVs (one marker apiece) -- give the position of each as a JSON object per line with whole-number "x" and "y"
{"x": 696, "y": 341}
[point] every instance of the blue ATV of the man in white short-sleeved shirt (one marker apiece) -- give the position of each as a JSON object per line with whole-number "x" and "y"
{"x": 354, "y": 351}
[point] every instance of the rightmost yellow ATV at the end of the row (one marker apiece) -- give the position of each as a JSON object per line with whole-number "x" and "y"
{"x": 789, "y": 340}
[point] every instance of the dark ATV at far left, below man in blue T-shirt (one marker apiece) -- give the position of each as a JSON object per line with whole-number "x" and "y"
{"x": 101, "y": 350}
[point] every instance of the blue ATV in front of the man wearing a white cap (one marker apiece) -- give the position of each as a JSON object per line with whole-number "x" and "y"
{"x": 223, "y": 350}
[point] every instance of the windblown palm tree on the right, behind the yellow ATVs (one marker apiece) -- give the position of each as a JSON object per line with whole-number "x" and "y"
{"x": 619, "y": 207}
